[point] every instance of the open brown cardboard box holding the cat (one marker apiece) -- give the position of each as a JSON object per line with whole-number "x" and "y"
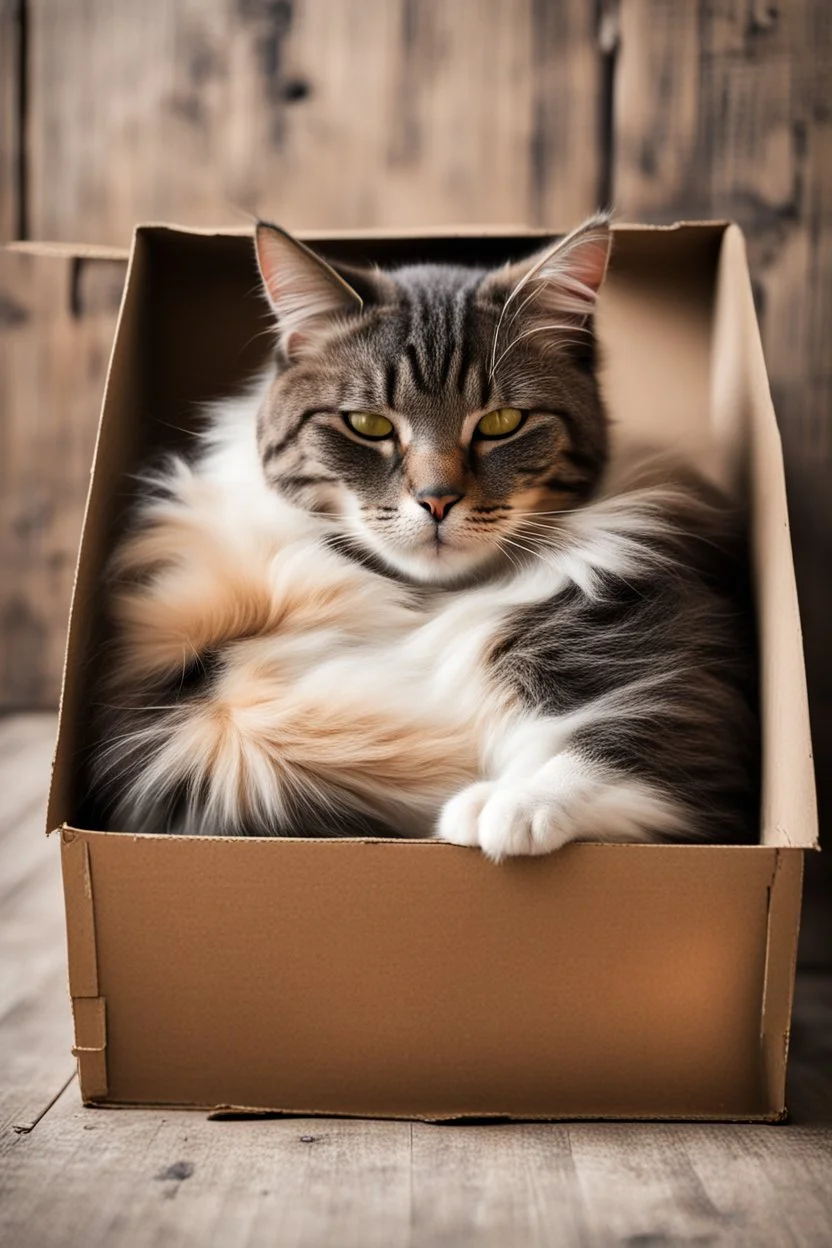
{"x": 404, "y": 979}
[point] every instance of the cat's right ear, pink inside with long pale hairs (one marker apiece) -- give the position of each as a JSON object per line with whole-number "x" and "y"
{"x": 559, "y": 284}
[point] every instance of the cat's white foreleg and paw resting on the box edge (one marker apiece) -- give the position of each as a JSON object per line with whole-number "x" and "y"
{"x": 537, "y": 807}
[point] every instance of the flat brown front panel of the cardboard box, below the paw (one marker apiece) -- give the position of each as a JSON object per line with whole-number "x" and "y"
{"x": 420, "y": 979}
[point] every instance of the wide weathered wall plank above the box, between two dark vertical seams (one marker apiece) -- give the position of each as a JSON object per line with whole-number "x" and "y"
{"x": 357, "y": 113}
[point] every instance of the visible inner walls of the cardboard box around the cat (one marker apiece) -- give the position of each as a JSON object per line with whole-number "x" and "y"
{"x": 683, "y": 371}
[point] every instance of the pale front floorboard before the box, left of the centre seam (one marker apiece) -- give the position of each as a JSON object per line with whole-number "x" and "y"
{"x": 149, "y": 1177}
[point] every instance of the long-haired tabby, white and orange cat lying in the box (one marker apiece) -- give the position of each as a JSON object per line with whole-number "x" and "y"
{"x": 397, "y": 592}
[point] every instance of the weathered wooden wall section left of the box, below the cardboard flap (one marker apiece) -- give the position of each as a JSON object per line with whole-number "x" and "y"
{"x": 54, "y": 355}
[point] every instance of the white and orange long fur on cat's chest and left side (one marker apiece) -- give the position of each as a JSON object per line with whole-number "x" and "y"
{"x": 283, "y": 672}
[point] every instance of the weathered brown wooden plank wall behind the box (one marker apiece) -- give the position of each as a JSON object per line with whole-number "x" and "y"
{"x": 376, "y": 113}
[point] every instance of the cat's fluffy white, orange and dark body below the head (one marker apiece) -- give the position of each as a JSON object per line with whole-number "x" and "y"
{"x": 268, "y": 683}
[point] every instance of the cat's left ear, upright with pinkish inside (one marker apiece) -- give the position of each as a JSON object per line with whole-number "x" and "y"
{"x": 304, "y": 290}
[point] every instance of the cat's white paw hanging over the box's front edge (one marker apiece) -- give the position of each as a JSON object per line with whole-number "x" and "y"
{"x": 506, "y": 819}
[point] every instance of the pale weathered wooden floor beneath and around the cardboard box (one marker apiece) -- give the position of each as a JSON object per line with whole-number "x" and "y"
{"x": 84, "y": 1177}
